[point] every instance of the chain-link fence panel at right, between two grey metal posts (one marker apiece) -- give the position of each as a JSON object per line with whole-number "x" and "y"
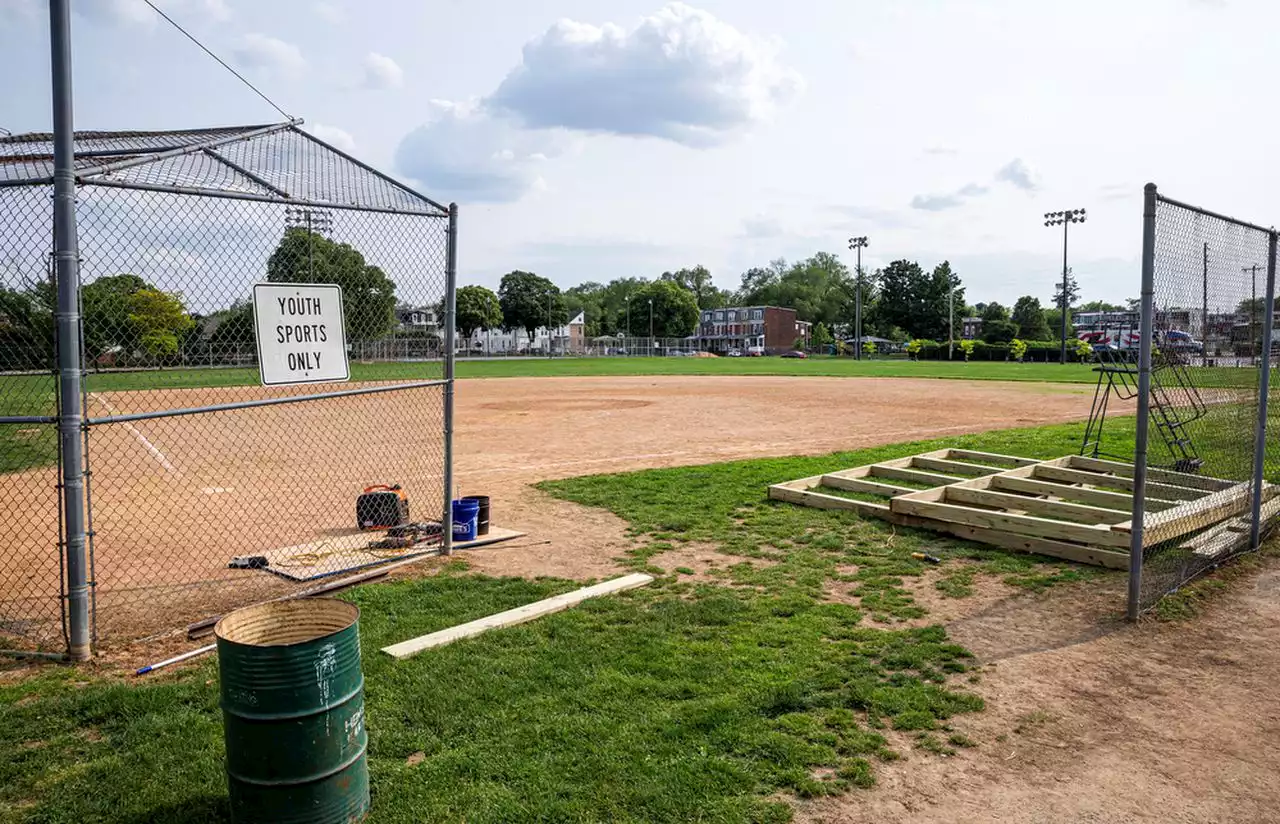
{"x": 1208, "y": 408}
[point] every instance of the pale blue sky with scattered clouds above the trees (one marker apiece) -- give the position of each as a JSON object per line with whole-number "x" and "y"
{"x": 589, "y": 140}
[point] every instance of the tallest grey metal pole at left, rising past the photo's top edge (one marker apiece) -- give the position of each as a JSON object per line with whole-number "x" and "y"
{"x": 67, "y": 276}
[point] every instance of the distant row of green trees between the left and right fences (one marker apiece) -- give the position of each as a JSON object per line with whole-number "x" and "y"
{"x": 900, "y": 301}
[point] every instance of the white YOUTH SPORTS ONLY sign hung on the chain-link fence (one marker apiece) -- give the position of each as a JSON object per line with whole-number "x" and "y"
{"x": 300, "y": 331}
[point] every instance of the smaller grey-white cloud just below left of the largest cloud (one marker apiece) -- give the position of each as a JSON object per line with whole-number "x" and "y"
{"x": 470, "y": 154}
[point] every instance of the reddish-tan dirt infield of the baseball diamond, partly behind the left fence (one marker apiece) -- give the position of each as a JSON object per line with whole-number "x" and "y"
{"x": 175, "y": 500}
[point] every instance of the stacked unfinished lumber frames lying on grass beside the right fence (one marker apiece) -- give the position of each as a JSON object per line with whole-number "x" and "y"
{"x": 1075, "y": 509}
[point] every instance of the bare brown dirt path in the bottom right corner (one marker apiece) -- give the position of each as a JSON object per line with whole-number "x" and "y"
{"x": 1090, "y": 720}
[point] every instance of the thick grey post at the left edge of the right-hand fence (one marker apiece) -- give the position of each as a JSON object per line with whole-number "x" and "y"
{"x": 1140, "y": 455}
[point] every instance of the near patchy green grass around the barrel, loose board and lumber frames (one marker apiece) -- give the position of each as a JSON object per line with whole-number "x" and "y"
{"x": 675, "y": 703}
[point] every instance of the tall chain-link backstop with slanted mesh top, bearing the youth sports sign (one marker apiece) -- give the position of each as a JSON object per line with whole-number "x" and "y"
{"x": 147, "y": 473}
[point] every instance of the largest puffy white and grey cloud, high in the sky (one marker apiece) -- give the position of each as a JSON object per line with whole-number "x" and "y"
{"x": 680, "y": 75}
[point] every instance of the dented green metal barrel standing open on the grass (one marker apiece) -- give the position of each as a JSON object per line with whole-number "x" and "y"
{"x": 294, "y": 713}
